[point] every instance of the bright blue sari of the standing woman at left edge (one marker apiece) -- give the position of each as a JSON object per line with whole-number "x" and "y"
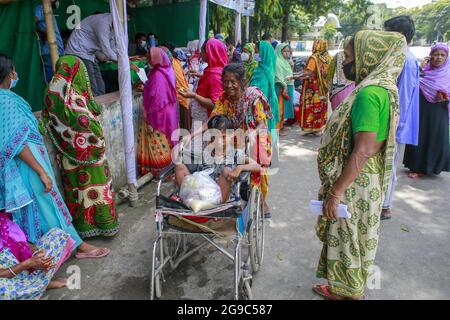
{"x": 21, "y": 189}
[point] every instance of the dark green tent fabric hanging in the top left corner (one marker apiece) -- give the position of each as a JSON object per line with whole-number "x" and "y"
{"x": 18, "y": 40}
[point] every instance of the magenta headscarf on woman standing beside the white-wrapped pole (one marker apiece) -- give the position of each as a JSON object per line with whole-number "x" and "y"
{"x": 160, "y": 94}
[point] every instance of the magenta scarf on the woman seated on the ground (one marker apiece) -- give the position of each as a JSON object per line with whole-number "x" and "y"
{"x": 13, "y": 238}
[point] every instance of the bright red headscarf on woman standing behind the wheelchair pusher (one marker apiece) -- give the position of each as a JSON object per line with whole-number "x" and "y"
{"x": 210, "y": 84}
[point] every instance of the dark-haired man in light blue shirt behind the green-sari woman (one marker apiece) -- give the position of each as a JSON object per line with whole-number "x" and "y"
{"x": 408, "y": 91}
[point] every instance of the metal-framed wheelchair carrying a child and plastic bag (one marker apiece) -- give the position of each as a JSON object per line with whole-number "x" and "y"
{"x": 235, "y": 228}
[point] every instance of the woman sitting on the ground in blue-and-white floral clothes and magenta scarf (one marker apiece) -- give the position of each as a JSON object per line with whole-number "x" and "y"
{"x": 27, "y": 271}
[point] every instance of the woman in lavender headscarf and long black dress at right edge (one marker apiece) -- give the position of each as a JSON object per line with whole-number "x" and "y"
{"x": 432, "y": 155}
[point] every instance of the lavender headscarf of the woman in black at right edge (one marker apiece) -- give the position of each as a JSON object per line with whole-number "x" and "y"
{"x": 436, "y": 79}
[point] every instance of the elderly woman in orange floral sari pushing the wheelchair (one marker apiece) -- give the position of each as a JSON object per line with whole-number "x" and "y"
{"x": 249, "y": 110}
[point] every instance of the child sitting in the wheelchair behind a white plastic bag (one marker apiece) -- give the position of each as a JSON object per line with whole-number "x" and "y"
{"x": 226, "y": 161}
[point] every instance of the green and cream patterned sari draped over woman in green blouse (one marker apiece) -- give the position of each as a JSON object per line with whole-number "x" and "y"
{"x": 349, "y": 245}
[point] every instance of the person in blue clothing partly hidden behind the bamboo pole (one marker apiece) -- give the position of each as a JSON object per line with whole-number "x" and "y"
{"x": 41, "y": 28}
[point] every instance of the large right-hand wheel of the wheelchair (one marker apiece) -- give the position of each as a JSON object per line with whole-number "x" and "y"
{"x": 256, "y": 230}
